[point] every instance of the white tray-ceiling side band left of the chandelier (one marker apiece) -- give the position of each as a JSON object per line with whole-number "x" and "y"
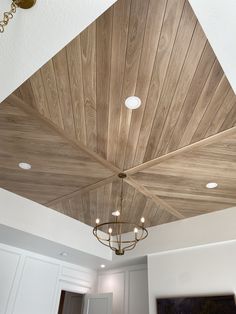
{"x": 25, "y": 215}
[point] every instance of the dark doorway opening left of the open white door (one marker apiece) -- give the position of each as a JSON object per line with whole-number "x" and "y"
{"x": 71, "y": 303}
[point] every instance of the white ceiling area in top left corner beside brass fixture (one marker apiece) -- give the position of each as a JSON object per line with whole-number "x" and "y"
{"x": 34, "y": 36}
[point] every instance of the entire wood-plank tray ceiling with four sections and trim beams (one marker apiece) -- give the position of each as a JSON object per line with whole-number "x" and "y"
{"x": 157, "y": 51}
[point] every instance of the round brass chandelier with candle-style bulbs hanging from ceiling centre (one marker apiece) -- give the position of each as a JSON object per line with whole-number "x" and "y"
{"x": 111, "y": 233}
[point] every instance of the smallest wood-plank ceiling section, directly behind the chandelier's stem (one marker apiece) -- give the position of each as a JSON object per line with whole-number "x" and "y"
{"x": 105, "y": 199}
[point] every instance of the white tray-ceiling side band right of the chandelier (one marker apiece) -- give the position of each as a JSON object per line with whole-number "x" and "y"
{"x": 214, "y": 227}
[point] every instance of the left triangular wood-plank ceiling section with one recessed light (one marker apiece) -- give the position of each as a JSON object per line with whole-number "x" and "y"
{"x": 57, "y": 167}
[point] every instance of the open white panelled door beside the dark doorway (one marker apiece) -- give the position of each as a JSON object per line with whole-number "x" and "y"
{"x": 98, "y": 303}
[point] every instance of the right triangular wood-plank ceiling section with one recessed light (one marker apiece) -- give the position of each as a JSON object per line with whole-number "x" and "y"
{"x": 181, "y": 180}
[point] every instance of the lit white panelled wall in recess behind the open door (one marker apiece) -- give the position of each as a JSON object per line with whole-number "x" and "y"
{"x": 129, "y": 286}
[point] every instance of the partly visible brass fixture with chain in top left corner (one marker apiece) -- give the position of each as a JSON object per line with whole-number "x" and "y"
{"x": 7, "y": 16}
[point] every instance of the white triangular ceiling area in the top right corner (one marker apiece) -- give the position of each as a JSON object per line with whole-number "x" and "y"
{"x": 218, "y": 19}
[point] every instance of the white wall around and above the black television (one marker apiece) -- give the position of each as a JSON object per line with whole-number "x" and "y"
{"x": 206, "y": 270}
